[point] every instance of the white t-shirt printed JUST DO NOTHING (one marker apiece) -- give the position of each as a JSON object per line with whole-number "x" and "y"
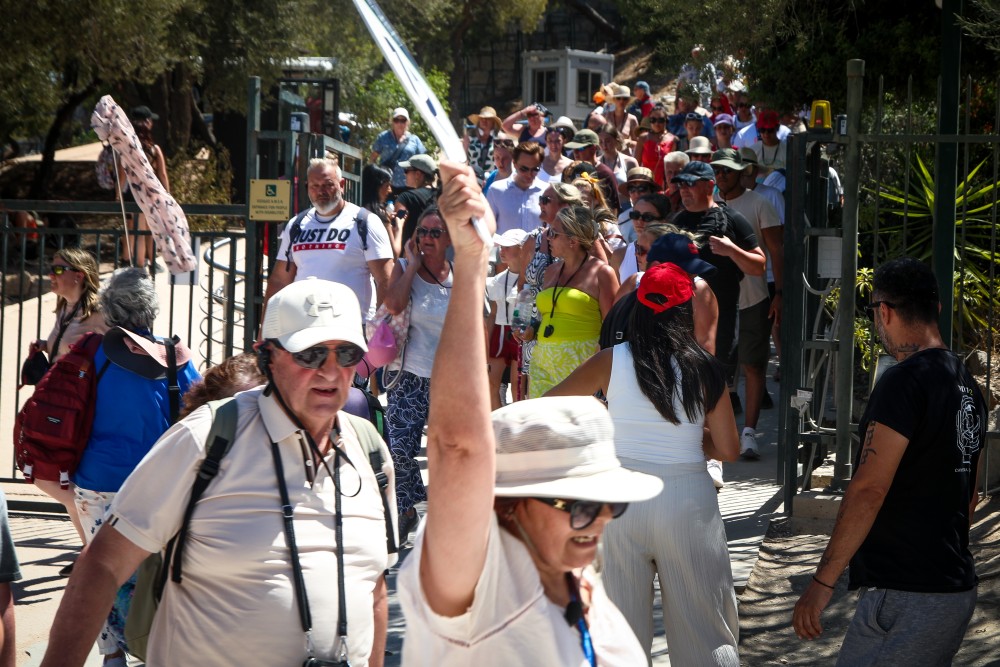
{"x": 329, "y": 247}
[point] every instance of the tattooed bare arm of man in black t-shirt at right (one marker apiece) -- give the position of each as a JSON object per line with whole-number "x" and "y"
{"x": 880, "y": 455}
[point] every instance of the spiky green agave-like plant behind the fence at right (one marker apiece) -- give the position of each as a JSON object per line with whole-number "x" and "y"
{"x": 909, "y": 230}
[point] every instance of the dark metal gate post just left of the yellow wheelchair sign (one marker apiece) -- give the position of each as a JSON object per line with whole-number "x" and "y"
{"x": 253, "y": 295}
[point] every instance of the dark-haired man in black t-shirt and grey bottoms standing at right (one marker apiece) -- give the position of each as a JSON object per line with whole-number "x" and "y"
{"x": 904, "y": 521}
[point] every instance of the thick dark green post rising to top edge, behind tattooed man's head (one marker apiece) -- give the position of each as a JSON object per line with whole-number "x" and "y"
{"x": 946, "y": 163}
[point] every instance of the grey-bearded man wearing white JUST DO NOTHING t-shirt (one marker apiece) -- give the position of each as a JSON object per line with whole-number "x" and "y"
{"x": 334, "y": 240}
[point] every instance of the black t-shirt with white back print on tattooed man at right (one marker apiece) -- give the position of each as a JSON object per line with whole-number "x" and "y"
{"x": 920, "y": 538}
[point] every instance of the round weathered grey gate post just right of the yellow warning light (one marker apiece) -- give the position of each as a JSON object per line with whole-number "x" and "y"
{"x": 849, "y": 271}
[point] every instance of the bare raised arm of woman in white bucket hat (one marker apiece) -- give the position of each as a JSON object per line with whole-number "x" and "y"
{"x": 460, "y": 446}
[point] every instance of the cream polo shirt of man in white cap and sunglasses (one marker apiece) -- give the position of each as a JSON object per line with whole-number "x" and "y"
{"x": 236, "y": 604}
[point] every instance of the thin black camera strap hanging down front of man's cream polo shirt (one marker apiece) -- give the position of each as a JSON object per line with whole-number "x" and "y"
{"x": 287, "y": 512}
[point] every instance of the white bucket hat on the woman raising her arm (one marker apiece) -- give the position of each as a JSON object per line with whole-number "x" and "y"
{"x": 563, "y": 447}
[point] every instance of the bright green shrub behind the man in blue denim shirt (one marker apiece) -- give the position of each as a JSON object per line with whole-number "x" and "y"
{"x": 373, "y": 103}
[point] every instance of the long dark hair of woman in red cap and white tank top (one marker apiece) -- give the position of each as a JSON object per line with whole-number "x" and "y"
{"x": 655, "y": 340}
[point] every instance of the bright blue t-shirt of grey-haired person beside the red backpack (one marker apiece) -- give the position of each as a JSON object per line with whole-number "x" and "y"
{"x": 131, "y": 414}
